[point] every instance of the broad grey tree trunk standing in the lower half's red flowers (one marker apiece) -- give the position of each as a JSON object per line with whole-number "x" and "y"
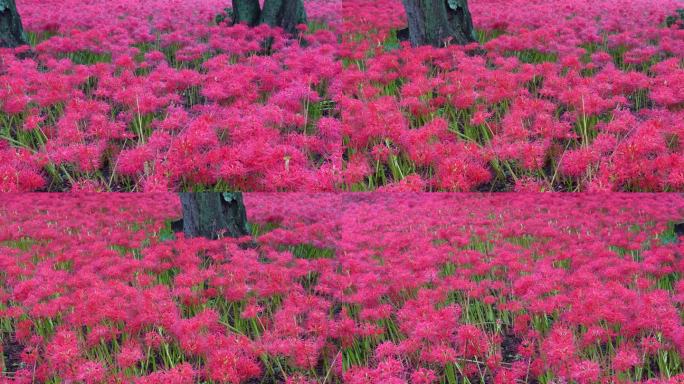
{"x": 214, "y": 215}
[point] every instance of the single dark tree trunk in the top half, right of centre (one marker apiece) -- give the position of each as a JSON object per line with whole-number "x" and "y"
{"x": 439, "y": 22}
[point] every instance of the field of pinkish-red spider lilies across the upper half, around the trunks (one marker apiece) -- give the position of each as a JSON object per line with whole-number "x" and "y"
{"x": 154, "y": 95}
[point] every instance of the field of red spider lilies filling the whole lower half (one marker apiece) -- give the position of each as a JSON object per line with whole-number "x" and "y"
{"x": 96, "y": 288}
